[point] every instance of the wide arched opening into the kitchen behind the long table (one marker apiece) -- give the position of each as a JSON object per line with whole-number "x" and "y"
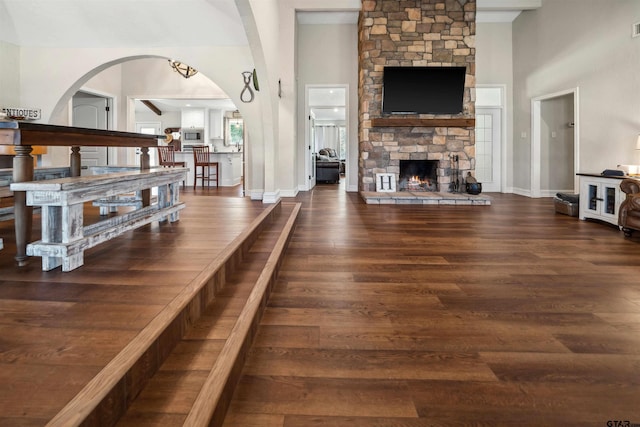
{"x": 146, "y": 93}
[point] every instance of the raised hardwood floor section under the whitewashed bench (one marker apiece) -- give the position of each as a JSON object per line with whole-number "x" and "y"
{"x": 60, "y": 329}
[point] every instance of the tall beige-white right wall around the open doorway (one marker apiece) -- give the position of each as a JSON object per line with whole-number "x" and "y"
{"x": 585, "y": 44}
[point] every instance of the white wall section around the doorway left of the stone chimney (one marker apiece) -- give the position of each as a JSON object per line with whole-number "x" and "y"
{"x": 328, "y": 55}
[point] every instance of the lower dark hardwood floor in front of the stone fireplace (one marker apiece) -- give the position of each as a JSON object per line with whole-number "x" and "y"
{"x": 508, "y": 314}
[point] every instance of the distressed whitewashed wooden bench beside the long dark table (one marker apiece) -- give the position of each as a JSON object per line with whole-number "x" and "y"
{"x": 65, "y": 236}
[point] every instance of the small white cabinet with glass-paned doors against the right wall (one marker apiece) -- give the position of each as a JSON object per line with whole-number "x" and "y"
{"x": 600, "y": 197}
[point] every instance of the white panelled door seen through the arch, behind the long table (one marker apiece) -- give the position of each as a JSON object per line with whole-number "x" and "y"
{"x": 90, "y": 111}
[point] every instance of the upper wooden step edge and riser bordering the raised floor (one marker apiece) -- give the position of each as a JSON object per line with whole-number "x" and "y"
{"x": 106, "y": 398}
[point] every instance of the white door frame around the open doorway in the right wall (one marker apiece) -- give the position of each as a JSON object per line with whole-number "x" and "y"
{"x": 536, "y": 139}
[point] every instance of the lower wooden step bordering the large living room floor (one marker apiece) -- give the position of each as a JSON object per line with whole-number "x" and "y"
{"x": 195, "y": 384}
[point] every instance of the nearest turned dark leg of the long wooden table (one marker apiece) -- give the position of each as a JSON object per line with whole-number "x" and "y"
{"x": 22, "y": 171}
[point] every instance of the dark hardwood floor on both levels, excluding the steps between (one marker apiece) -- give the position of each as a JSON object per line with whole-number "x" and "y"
{"x": 382, "y": 315}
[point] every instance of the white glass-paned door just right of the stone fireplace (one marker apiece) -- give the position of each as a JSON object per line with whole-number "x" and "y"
{"x": 488, "y": 148}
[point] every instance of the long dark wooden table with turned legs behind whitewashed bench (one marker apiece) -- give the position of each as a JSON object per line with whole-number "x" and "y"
{"x": 23, "y": 136}
